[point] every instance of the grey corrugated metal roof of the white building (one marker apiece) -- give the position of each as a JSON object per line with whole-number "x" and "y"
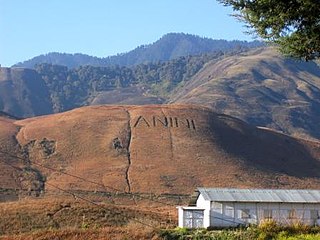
{"x": 260, "y": 195}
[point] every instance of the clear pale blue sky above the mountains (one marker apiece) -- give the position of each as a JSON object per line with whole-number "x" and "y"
{"x": 105, "y": 27}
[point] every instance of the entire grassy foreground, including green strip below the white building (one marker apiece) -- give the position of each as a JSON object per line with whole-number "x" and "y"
{"x": 65, "y": 218}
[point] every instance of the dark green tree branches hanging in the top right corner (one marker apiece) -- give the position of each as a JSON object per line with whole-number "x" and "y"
{"x": 294, "y": 25}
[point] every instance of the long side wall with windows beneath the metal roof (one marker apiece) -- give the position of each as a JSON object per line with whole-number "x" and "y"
{"x": 224, "y": 214}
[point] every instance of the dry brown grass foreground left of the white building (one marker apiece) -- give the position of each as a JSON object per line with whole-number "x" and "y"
{"x": 65, "y": 218}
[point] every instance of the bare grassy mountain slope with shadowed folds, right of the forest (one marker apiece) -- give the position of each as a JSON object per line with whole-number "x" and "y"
{"x": 261, "y": 88}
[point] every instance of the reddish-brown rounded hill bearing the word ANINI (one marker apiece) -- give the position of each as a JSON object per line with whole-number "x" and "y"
{"x": 157, "y": 149}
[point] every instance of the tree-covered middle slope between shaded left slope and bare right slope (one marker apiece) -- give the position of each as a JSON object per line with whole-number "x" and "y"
{"x": 142, "y": 84}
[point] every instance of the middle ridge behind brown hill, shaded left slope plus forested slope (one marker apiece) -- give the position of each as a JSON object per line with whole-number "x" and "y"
{"x": 67, "y": 88}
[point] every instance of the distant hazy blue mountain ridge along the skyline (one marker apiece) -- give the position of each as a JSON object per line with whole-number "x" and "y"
{"x": 170, "y": 46}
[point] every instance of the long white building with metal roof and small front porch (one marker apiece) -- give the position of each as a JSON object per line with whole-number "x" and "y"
{"x": 225, "y": 207}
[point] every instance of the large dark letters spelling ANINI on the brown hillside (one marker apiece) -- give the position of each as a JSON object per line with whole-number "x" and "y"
{"x": 165, "y": 121}
